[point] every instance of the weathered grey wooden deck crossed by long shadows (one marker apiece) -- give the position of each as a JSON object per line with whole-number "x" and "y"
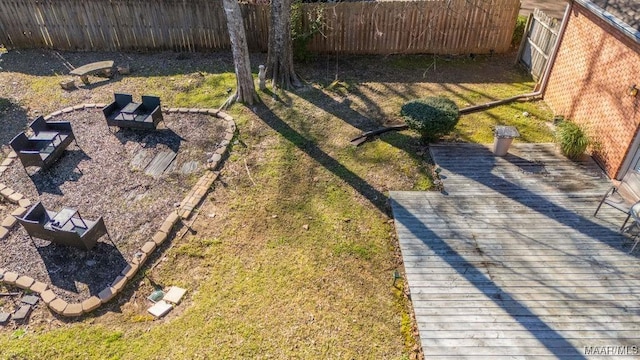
{"x": 509, "y": 262}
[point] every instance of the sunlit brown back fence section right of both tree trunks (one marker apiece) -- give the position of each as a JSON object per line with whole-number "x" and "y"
{"x": 440, "y": 27}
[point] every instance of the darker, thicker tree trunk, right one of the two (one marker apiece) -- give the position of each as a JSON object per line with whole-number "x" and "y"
{"x": 280, "y": 56}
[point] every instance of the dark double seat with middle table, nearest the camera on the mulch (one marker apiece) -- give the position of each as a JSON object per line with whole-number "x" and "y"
{"x": 76, "y": 232}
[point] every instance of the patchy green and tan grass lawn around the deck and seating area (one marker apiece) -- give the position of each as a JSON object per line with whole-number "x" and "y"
{"x": 292, "y": 254}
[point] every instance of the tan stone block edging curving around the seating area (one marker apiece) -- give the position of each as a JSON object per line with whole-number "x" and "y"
{"x": 190, "y": 202}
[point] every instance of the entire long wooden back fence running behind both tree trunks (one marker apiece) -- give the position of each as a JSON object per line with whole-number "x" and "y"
{"x": 434, "y": 26}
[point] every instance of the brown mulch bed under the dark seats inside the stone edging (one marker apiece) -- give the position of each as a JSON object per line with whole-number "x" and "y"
{"x": 98, "y": 178}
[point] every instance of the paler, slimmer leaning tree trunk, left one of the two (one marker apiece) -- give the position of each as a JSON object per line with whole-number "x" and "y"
{"x": 246, "y": 88}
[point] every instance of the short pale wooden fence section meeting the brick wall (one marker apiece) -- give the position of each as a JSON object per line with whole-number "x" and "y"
{"x": 540, "y": 37}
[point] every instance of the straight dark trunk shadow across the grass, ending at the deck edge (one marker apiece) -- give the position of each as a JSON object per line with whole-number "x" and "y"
{"x": 377, "y": 198}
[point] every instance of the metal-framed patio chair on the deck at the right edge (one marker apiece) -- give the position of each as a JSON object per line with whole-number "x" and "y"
{"x": 623, "y": 196}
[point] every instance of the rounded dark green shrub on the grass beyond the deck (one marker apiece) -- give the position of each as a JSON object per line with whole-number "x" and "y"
{"x": 431, "y": 117}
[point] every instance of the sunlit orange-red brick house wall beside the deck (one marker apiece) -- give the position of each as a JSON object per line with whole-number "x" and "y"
{"x": 594, "y": 68}
